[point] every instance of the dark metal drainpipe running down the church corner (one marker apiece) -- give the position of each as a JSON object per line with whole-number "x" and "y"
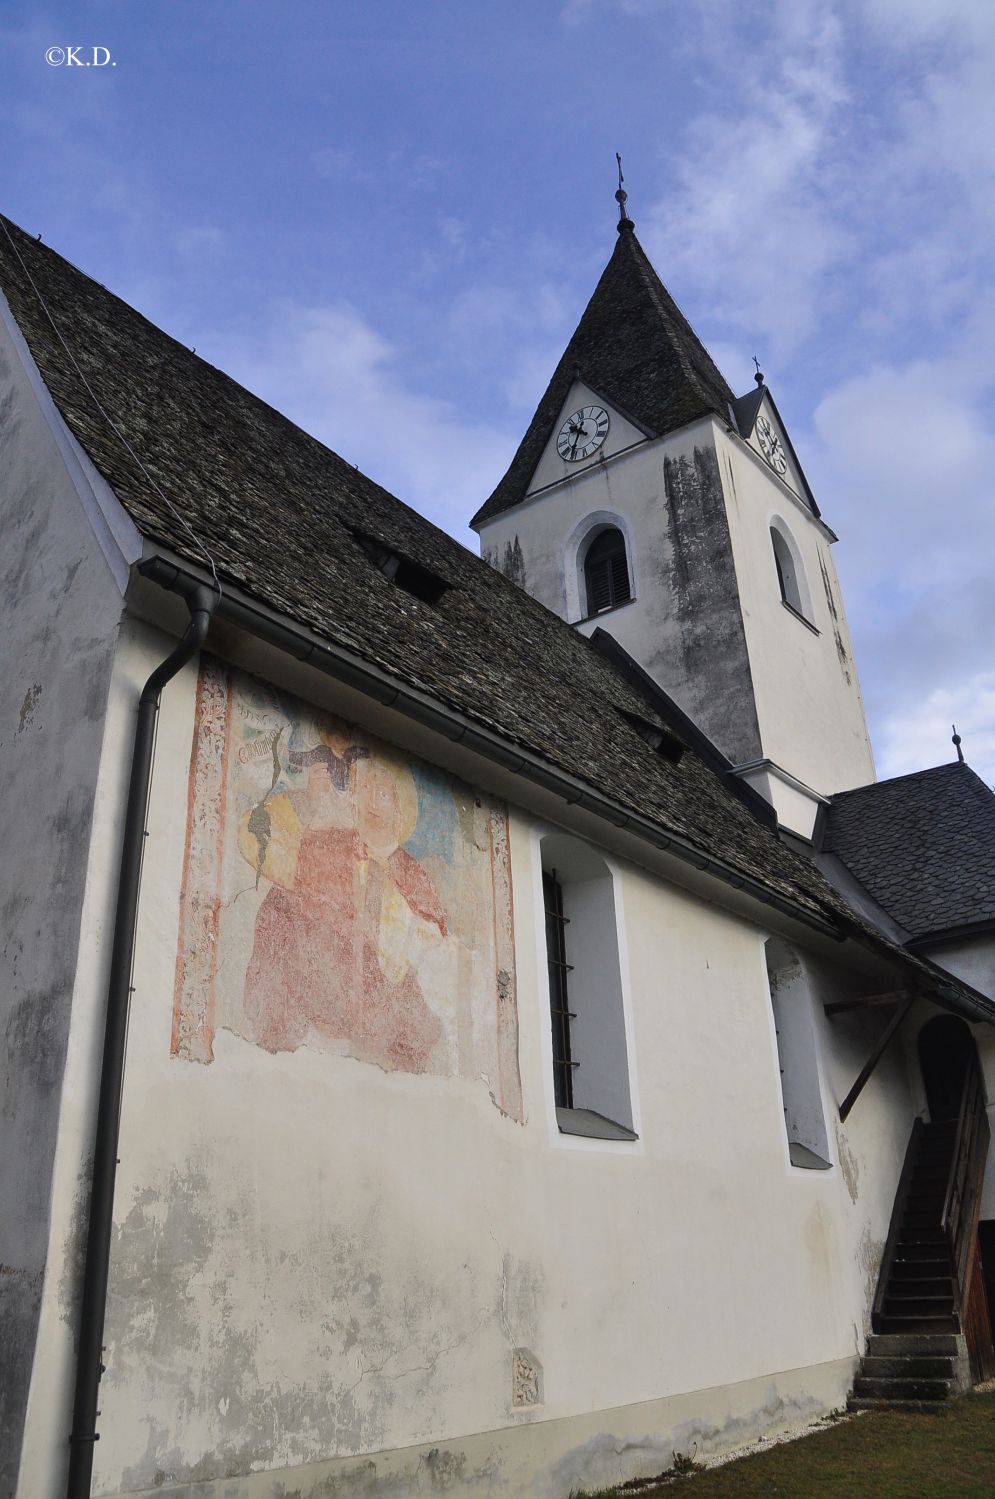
{"x": 202, "y": 603}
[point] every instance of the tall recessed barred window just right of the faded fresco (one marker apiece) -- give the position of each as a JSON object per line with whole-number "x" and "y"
{"x": 591, "y": 1073}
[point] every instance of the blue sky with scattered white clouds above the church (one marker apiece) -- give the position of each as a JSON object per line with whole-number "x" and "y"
{"x": 387, "y": 220}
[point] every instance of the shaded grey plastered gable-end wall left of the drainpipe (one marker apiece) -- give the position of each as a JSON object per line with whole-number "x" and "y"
{"x": 64, "y": 561}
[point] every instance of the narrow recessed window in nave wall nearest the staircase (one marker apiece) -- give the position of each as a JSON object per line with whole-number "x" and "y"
{"x": 798, "y": 1059}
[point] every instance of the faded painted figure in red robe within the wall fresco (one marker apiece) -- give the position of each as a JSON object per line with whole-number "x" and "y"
{"x": 333, "y": 933}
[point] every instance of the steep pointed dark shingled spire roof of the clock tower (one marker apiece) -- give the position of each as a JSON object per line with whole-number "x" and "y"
{"x": 633, "y": 347}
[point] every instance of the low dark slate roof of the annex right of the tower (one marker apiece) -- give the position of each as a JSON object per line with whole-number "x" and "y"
{"x": 922, "y": 845}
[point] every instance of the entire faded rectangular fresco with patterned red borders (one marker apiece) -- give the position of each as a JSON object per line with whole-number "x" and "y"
{"x": 341, "y": 896}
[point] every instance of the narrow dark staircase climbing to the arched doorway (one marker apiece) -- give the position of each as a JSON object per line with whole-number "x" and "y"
{"x": 918, "y": 1354}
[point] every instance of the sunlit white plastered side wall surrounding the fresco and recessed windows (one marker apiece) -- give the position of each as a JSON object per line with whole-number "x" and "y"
{"x": 318, "y": 1260}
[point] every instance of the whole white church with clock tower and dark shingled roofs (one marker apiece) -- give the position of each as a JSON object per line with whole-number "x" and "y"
{"x": 470, "y": 1026}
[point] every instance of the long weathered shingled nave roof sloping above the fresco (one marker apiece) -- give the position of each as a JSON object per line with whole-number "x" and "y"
{"x": 279, "y": 513}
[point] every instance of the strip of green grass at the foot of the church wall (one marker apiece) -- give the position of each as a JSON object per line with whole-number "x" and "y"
{"x": 885, "y": 1455}
